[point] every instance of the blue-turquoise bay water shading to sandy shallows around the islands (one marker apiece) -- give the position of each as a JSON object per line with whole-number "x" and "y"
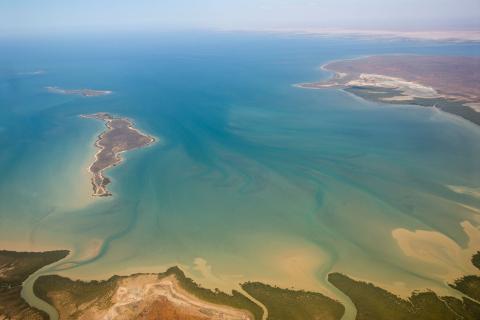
{"x": 252, "y": 178}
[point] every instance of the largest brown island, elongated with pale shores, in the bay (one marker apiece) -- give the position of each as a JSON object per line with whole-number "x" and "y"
{"x": 119, "y": 137}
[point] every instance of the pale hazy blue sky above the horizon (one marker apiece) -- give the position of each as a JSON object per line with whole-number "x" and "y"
{"x": 31, "y": 16}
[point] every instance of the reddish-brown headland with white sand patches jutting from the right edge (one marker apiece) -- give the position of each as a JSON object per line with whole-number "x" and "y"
{"x": 449, "y": 83}
